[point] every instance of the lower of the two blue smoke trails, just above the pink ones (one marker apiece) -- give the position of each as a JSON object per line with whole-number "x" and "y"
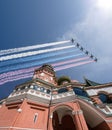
{"x": 20, "y": 66}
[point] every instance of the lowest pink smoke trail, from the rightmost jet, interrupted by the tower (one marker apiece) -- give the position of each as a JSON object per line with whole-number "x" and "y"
{"x": 28, "y": 75}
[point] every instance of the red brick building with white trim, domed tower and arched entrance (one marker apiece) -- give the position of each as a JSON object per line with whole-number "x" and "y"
{"x": 50, "y": 103}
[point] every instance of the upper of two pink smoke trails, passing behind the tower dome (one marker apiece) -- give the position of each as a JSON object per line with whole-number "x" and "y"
{"x": 27, "y": 70}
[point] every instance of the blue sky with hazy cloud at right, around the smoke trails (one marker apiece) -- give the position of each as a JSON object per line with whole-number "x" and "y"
{"x": 29, "y": 22}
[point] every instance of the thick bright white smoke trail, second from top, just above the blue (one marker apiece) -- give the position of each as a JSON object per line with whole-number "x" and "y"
{"x": 30, "y": 53}
